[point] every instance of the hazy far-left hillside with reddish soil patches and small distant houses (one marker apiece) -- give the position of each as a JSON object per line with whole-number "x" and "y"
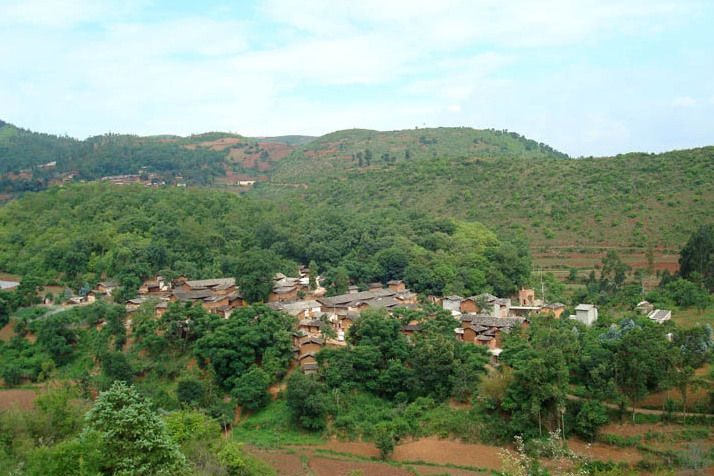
{"x": 34, "y": 161}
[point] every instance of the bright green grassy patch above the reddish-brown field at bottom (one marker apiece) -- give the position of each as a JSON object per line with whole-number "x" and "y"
{"x": 272, "y": 427}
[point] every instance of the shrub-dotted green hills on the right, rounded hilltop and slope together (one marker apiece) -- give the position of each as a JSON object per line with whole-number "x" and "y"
{"x": 509, "y": 183}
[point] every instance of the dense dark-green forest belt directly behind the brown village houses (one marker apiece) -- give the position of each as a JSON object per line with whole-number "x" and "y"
{"x": 85, "y": 233}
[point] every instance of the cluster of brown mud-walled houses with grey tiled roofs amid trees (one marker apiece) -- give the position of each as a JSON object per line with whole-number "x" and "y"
{"x": 322, "y": 320}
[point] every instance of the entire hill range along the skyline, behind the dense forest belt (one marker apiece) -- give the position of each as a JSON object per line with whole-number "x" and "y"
{"x": 508, "y": 182}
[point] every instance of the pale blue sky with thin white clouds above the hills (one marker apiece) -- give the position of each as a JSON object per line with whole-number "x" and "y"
{"x": 588, "y": 77}
